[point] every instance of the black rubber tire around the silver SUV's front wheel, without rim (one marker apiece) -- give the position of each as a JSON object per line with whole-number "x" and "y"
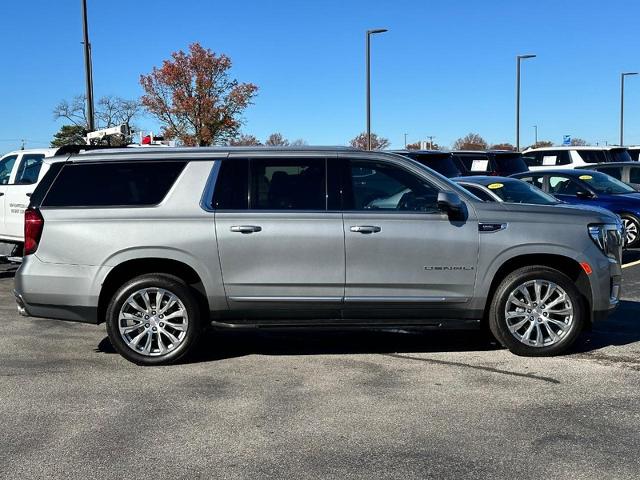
{"x": 497, "y": 317}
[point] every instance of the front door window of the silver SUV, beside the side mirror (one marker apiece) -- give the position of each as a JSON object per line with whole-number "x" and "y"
{"x": 377, "y": 186}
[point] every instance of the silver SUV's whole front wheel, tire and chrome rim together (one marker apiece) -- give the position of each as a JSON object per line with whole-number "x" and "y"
{"x": 537, "y": 311}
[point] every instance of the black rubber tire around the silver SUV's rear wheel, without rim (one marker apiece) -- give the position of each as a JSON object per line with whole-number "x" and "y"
{"x": 178, "y": 288}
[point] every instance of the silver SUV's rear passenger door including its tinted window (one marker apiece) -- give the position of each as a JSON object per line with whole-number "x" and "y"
{"x": 281, "y": 249}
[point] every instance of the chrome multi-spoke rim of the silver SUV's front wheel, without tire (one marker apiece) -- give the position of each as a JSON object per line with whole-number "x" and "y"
{"x": 539, "y": 313}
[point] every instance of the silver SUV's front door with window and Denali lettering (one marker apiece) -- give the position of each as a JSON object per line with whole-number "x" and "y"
{"x": 405, "y": 257}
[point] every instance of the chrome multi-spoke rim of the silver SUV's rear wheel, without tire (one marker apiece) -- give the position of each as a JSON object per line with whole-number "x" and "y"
{"x": 153, "y": 321}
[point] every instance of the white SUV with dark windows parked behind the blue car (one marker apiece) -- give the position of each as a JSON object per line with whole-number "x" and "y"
{"x": 549, "y": 158}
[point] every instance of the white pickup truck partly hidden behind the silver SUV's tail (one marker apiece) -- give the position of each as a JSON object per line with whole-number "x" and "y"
{"x": 20, "y": 172}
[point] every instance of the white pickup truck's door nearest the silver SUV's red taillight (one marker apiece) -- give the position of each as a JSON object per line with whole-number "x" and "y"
{"x": 18, "y": 192}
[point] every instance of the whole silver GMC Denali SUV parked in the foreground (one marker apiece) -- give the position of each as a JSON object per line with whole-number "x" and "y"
{"x": 161, "y": 243}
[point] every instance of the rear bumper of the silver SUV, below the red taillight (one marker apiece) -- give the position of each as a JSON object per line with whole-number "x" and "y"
{"x": 57, "y": 291}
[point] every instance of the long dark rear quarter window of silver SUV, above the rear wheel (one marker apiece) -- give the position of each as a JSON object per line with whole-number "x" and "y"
{"x": 112, "y": 184}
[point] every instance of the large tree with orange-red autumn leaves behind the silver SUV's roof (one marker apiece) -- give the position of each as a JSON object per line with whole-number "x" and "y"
{"x": 194, "y": 97}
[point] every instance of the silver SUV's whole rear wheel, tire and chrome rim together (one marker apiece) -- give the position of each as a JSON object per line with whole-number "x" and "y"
{"x": 153, "y": 319}
